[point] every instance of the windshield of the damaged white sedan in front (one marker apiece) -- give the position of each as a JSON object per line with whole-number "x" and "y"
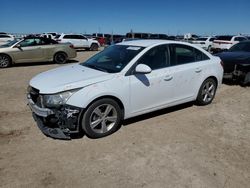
{"x": 113, "y": 59}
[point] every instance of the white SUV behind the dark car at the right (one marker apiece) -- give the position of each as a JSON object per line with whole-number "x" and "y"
{"x": 225, "y": 42}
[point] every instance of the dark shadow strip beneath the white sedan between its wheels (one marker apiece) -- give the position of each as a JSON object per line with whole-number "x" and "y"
{"x": 150, "y": 115}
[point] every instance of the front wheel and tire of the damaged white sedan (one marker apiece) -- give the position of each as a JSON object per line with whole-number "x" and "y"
{"x": 101, "y": 118}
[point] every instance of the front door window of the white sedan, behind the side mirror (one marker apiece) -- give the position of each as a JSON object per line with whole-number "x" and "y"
{"x": 156, "y": 57}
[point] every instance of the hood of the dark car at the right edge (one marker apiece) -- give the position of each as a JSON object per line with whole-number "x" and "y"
{"x": 233, "y": 56}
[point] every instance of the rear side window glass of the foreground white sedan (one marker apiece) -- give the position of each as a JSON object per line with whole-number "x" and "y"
{"x": 182, "y": 54}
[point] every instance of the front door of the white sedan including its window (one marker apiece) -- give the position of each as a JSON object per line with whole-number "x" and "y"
{"x": 153, "y": 90}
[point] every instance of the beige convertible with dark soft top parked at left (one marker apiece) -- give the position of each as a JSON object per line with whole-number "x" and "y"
{"x": 35, "y": 49}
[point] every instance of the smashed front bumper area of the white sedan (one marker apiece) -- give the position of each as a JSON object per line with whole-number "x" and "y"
{"x": 58, "y": 123}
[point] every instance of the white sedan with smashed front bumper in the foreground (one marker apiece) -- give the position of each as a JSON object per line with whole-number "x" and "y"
{"x": 122, "y": 81}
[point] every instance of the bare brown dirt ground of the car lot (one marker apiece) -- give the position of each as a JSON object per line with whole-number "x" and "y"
{"x": 184, "y": 146}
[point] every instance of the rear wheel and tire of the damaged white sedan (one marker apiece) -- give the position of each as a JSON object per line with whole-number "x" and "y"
{"x": 206, "y": 92}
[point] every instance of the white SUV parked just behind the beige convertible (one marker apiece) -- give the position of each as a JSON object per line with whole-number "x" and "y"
{"x": 79, "y": 41}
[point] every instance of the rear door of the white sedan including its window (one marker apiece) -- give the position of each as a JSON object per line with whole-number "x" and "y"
{"x": 186, "y": 67}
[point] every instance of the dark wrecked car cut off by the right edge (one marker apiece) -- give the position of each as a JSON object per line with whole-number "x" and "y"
{"x": 237, "y": 62}
